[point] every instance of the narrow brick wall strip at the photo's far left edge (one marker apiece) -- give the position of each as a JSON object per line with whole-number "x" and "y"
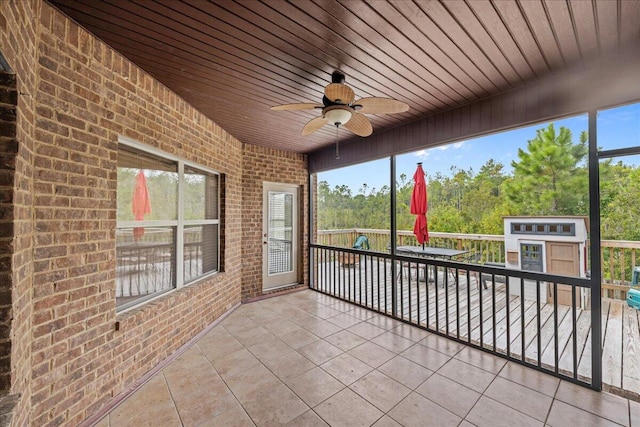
{"x": 19, "y": 49}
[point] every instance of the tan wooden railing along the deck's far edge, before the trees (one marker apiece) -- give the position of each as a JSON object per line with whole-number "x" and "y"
{"x": 618, "y": 257}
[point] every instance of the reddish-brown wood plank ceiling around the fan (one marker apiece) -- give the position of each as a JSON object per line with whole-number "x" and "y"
{"x": 232, "y": 60}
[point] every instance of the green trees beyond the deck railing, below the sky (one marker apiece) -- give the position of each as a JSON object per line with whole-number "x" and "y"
{"x": 550, "y": 178}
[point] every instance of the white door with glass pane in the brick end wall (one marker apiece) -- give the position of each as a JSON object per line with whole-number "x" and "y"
{"x": 280, "y": 235}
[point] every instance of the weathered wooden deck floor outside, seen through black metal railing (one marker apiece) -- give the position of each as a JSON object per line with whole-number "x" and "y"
{"x": 491, "y": 319}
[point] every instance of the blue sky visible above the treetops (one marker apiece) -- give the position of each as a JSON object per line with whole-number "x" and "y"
{"x": 617, "y": 128}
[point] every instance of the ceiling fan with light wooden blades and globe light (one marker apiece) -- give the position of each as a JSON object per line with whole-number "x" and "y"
{"x": 340, "y": 109}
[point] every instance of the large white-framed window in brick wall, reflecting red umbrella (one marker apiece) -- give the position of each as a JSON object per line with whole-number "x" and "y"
{"x": 168, "y": 216}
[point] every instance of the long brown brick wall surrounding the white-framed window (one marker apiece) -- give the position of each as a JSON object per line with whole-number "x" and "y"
{"x": 76, "y": 96}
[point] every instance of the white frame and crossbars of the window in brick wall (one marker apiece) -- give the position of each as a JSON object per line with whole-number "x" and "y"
{"x": 179, "y": 223}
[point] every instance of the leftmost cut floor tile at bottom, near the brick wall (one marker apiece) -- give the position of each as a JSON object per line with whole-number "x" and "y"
{"x": 151, "y": 406}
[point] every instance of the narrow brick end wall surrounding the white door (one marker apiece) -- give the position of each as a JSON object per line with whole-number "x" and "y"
{"x": 267, "y": 164}
